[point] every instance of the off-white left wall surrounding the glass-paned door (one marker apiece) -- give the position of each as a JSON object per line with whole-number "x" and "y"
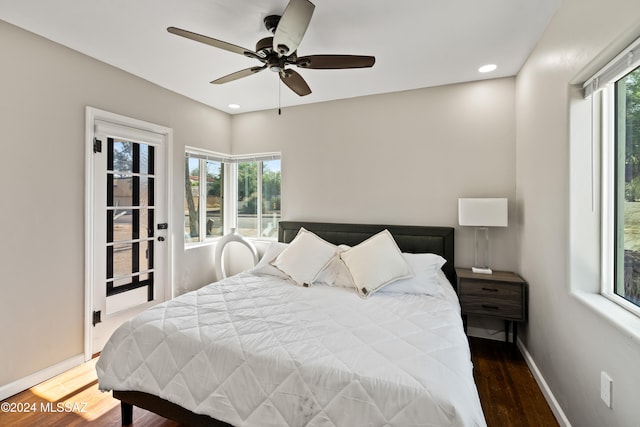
{"x": 44, "y": 89}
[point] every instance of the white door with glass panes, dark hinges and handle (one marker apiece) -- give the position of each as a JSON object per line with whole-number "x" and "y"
{"x": 130, "y": 247}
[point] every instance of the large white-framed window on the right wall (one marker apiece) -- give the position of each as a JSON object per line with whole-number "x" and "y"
{"x": 615, "y": 92}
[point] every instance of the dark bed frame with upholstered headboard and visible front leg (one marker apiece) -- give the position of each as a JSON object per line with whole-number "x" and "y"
{"x": 413, "y": 239}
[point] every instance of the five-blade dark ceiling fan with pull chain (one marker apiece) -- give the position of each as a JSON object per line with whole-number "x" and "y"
{"x": 280, "y": 51}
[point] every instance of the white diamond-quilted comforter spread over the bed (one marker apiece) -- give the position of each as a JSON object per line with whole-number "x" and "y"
{"x": 259, "y": 351}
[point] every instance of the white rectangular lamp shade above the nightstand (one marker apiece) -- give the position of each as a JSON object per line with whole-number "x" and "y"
{"x": 492, "y": 212}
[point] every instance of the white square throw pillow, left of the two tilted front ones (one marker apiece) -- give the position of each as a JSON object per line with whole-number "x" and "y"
{"x": 305, "y": 257}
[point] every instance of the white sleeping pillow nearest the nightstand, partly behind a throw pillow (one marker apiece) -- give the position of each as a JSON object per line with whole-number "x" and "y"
{"x": 425, "y": 282}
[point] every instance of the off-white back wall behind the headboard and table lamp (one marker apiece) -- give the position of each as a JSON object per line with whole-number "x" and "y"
{"x": 400, "y": 158}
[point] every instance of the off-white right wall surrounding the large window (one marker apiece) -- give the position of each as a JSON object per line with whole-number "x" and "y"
{"x": 570, "y": 341}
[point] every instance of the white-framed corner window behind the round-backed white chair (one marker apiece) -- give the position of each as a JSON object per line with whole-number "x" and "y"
{"x": 252, "y": 182}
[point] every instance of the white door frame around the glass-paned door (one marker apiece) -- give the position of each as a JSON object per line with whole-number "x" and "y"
{"x": 91, "y": 116}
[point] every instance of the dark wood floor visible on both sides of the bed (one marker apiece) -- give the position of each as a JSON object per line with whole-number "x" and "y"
{"x": 508, "y": 392}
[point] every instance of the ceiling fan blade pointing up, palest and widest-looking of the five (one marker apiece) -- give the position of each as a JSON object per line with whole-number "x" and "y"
{"x": 292, "y": 26}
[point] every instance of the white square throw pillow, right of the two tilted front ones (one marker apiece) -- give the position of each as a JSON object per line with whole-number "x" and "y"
{"x": 375, "y": 263}
